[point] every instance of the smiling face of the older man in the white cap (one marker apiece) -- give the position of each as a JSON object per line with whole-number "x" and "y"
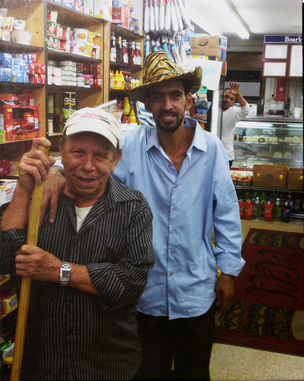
{"x": 88, "y": 163}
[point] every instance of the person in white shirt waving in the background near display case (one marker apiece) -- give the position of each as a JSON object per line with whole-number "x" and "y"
{"x": 232, "y": 115}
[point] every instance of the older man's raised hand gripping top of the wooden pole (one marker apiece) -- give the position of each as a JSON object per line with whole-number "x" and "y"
{"x": 34, "y": 165}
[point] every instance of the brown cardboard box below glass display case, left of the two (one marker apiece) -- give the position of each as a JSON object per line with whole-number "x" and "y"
{"x": 270, "y": 176}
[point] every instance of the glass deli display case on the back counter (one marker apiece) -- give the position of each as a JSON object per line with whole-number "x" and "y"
{"x": 268, "y": 140}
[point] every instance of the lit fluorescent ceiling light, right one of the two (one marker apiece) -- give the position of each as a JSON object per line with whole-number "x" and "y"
{"x": 224, "y": 9}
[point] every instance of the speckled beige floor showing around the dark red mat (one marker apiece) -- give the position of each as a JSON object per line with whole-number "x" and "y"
{"x": 229, "y": 362}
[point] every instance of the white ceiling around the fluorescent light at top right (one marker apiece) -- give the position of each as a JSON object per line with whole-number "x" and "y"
{"x": 260, "y": 16}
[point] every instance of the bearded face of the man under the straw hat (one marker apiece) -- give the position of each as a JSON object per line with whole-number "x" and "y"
{"x": 168, "y": 103}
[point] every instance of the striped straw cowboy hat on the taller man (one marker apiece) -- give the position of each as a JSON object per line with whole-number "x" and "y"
{"x": 158, "y": 68}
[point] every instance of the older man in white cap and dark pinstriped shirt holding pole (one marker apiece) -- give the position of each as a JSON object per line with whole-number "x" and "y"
{"x": 82, "y": 319}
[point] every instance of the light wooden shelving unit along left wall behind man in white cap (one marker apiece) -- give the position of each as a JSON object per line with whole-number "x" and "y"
{"x": 35, "y": 14}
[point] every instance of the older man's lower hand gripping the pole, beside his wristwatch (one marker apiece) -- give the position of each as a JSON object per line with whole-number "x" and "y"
{"x": 31, "y": 261}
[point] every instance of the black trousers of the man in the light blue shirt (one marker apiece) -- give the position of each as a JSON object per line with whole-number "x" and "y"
{"x": 187, "y": 342}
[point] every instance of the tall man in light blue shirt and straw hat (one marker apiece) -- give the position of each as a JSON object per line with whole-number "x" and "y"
{"x": 183, "y": 172}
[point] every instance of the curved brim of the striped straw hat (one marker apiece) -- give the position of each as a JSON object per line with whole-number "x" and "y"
{"x": 192, "y": 78}
